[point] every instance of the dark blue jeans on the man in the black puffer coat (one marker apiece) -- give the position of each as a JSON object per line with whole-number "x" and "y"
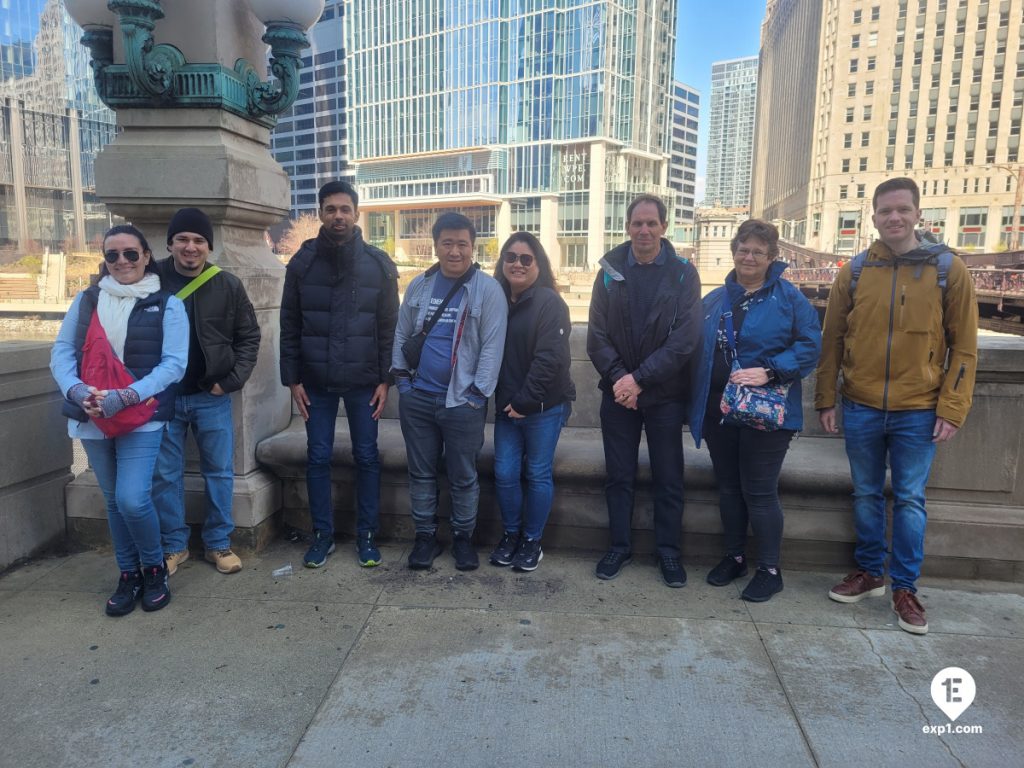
{"x": 320, "y": 447}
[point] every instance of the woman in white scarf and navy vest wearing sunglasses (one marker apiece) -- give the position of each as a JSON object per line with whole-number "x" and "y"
{"x": 148, "y": 330}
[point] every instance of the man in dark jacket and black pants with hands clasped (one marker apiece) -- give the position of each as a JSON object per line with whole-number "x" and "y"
{"x": 646, "y": 323}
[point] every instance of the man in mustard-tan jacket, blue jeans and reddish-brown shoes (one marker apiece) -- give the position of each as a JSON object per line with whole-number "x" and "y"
{"x": 903, "y": 327}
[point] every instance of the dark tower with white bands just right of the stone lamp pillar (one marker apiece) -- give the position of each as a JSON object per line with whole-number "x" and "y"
{"x": 311, "y": 139}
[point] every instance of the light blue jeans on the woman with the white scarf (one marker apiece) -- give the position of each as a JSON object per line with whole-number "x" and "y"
{"x": 124, "y": 472}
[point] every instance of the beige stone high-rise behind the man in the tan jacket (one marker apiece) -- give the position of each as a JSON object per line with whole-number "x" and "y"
{"x": 858, "y": 92}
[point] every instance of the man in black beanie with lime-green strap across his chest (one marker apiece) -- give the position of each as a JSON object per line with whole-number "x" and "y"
{"x": 219, "y": 311}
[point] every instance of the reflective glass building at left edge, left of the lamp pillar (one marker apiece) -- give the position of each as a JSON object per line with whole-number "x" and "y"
{"x": 53, "y": 125}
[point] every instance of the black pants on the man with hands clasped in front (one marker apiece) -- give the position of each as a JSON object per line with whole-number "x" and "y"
{"x": 621, "y": 430}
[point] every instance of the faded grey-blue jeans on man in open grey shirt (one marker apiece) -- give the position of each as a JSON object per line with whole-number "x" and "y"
{"x": 432, "y": 430}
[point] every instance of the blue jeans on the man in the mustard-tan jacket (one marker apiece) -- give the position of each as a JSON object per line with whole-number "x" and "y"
{"x": 906, "y": 438}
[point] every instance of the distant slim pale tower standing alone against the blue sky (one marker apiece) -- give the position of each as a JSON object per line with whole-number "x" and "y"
{"x": 731, "y": 141}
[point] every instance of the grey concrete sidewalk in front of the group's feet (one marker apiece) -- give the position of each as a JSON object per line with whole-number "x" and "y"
{"x": 388, "y": 667}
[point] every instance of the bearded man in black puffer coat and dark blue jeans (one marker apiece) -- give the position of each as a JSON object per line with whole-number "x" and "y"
{"x": 338, "y": 316}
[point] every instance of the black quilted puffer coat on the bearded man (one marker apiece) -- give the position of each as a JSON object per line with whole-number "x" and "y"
{"x": 338, "y": 315}
